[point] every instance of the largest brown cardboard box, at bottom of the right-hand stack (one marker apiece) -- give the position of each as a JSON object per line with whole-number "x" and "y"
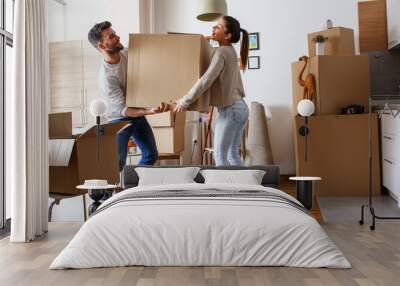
{"x": 338, "y": 153}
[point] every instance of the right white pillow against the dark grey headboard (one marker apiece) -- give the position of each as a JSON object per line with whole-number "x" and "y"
{"x": 248, "y": 177}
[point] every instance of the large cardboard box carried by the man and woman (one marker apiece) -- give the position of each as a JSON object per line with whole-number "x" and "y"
{"x": 163, "y": 68}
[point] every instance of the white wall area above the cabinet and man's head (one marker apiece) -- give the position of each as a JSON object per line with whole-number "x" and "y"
{"x": 74, "y": 20}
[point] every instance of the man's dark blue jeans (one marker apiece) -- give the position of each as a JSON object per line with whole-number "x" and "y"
{"x": 142, "y": 134}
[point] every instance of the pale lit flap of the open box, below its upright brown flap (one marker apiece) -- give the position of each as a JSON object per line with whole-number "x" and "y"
{"x": 60, "y": 151}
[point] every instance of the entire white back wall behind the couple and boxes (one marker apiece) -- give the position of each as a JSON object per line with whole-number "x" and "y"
{"x": 282, "y": 24}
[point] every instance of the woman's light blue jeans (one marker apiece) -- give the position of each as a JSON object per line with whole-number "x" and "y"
{"x": 228, "y": 133}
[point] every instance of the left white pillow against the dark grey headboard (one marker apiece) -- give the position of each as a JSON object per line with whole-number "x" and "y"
{"x": 166, "y": 176}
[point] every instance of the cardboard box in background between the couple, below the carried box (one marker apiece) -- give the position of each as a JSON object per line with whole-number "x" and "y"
{"x": 171, "y": 140}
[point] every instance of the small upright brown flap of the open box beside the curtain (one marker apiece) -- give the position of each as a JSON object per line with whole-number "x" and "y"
{"x": 60, "y": 125}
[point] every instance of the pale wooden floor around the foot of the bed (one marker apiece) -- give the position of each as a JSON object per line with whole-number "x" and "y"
{"x": 375, "y": 257}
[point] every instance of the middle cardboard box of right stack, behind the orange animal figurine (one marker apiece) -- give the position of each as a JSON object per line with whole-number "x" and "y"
{"x": 340, "y": 81}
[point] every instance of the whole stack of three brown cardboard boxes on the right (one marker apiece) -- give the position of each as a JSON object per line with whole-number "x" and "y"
{"x": 337, "y": 144}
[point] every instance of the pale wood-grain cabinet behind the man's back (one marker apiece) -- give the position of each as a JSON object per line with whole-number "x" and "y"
{"x": 74, "y": 69}
